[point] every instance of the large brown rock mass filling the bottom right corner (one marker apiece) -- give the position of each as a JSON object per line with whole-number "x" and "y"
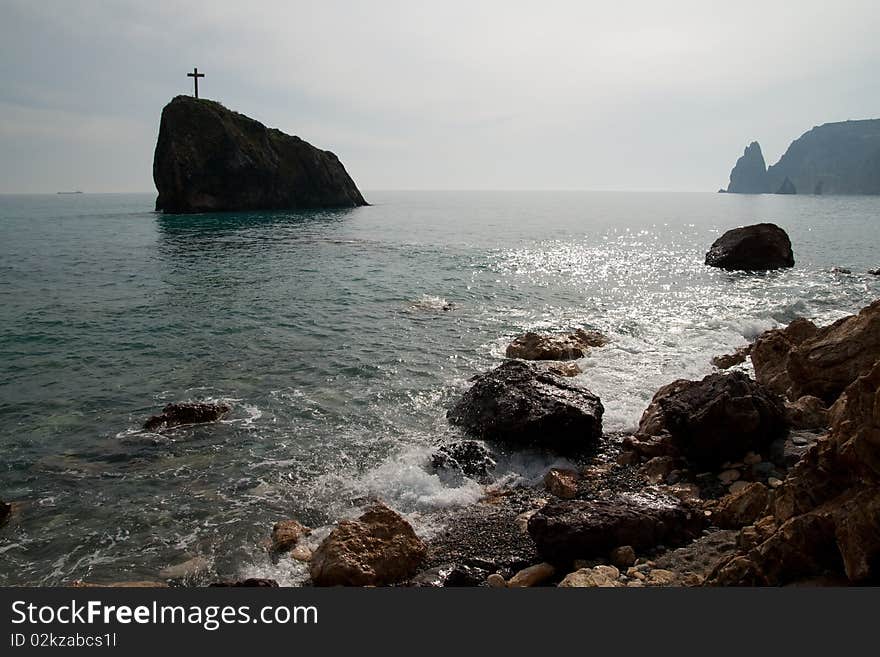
{"x": 826, "y": 516}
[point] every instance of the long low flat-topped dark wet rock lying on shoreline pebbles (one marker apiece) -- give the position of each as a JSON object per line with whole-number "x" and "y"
{"x": 576, "y": 529}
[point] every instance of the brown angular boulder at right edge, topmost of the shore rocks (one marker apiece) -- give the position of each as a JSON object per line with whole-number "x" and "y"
{"x": 803, "y": 359}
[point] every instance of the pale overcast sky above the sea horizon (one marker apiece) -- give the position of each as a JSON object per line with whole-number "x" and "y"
{"x": 502, "y": 95}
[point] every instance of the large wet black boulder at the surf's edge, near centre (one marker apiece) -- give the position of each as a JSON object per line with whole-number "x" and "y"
{"x": 523, "y": 405}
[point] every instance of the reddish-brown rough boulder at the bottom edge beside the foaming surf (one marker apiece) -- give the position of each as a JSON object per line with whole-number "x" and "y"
{"x": 377, "y": 549}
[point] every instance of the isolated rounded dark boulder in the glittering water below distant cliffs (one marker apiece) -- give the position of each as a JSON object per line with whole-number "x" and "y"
{"x": 752, "y": 248}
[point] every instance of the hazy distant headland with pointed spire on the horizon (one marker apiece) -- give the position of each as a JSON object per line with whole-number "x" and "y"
{"x": 835, "y": 158}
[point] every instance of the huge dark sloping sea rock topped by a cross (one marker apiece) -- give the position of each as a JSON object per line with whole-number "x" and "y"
{"x": 209, "y": 158}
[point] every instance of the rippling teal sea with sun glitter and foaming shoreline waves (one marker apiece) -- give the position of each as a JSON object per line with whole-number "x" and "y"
{"x": 340, "y": 339}
